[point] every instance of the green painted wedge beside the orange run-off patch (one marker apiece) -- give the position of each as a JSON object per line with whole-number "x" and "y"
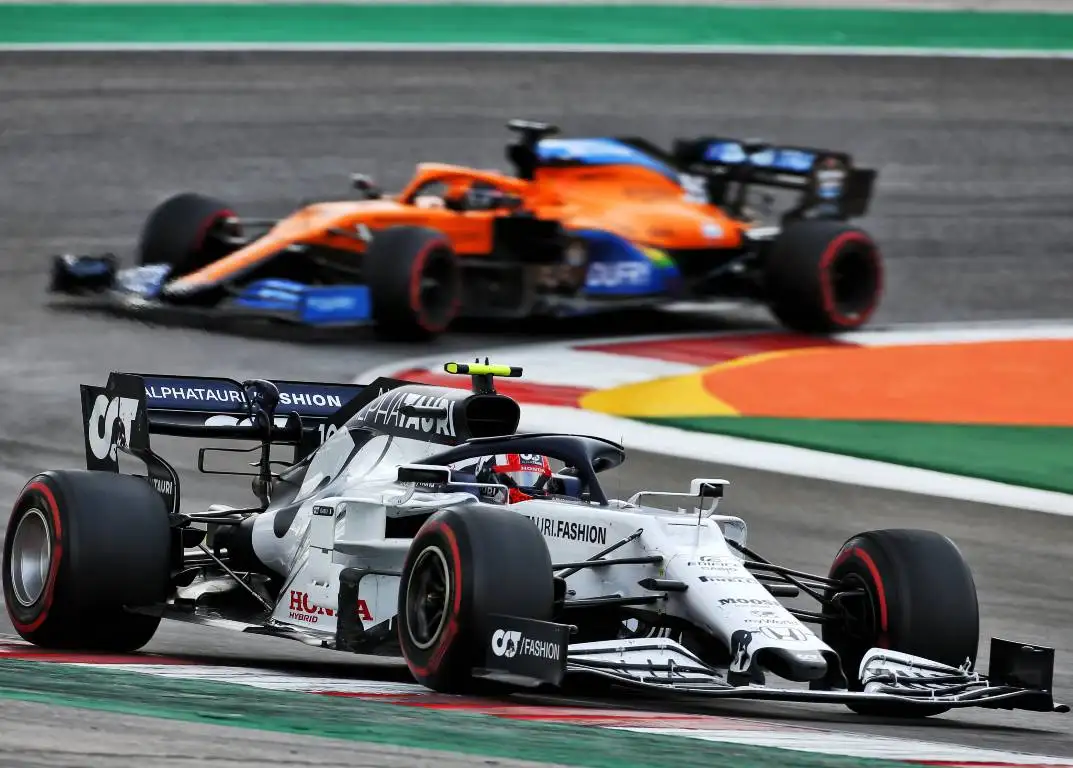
{"x": 1037, "y": 457}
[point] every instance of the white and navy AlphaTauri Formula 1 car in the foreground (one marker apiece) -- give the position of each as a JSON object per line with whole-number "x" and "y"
{"x": 374, "y": 541}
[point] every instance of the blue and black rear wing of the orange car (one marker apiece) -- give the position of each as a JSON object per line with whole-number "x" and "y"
{"x": 830, "y": 184}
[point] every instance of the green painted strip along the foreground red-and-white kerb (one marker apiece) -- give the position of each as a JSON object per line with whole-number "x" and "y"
{"x": 357, "y": 720}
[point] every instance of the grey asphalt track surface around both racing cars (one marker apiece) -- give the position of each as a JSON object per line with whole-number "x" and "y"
{"x": 973, "y": 212}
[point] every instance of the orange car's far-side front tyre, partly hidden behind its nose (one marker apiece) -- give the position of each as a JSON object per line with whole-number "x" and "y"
{"x": 188, "y": 232}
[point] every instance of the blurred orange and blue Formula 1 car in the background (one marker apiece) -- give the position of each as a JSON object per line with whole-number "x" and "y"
{"x": 583, "y": 226}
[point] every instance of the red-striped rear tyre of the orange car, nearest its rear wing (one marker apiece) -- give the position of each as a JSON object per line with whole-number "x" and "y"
{"x": 824, "y": 277}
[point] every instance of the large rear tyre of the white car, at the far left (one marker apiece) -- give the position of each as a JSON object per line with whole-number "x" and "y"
{"x": 80, "y": 547}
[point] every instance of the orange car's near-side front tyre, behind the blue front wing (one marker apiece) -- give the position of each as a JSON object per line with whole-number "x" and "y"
{"x": 415, "y": 284}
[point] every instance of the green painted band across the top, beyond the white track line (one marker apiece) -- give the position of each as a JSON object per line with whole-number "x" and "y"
{"x": 654, "y": 25}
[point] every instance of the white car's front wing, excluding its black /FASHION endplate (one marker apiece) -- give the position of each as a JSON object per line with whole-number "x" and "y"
{"x": 662, "y": 666}
